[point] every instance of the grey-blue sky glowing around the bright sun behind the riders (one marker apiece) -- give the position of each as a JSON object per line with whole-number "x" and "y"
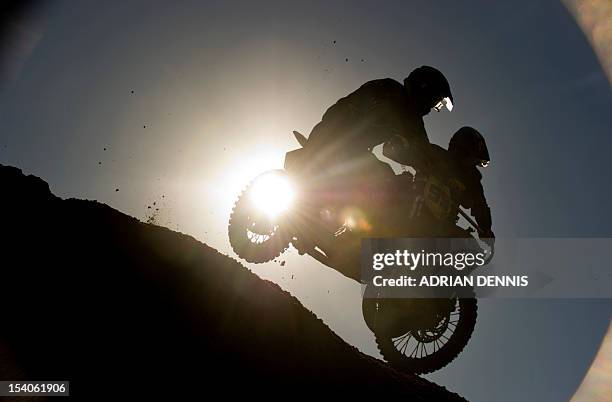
{"x": 219, "y": 86}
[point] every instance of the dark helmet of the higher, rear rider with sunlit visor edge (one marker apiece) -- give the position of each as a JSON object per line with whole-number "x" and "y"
{"x": 431, "y": 89}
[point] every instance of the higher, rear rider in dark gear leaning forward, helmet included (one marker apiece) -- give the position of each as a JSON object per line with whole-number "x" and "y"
{"x": 377, "y": 111}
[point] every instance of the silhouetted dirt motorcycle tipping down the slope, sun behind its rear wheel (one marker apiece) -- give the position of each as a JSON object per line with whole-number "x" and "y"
{"x": 325, "y": 213}
